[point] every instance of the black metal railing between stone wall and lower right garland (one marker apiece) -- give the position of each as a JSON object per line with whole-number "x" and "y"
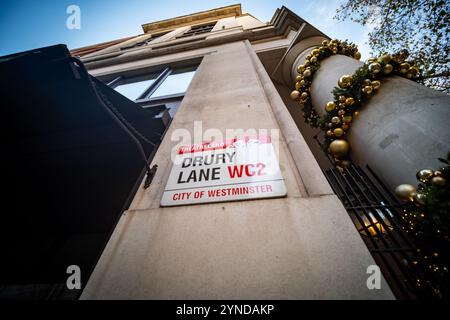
{"x": 376, "y": 213}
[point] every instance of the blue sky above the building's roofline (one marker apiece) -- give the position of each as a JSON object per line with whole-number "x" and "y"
{"x": 25, "y": 25}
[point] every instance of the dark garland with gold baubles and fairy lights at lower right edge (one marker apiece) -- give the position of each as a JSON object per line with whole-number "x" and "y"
{"x": 427, "y": 218}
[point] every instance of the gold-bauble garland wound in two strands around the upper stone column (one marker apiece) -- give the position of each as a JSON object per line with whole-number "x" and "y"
{"x": 350, "y": 94}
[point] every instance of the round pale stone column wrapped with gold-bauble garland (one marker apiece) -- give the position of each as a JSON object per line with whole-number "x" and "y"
{"x": 404, "y": 127}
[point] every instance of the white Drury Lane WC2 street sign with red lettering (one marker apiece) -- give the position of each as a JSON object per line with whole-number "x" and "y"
{"x": 239, "y": 169}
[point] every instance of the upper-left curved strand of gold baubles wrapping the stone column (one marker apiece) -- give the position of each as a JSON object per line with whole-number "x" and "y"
{"x": 310, "y": 66}
